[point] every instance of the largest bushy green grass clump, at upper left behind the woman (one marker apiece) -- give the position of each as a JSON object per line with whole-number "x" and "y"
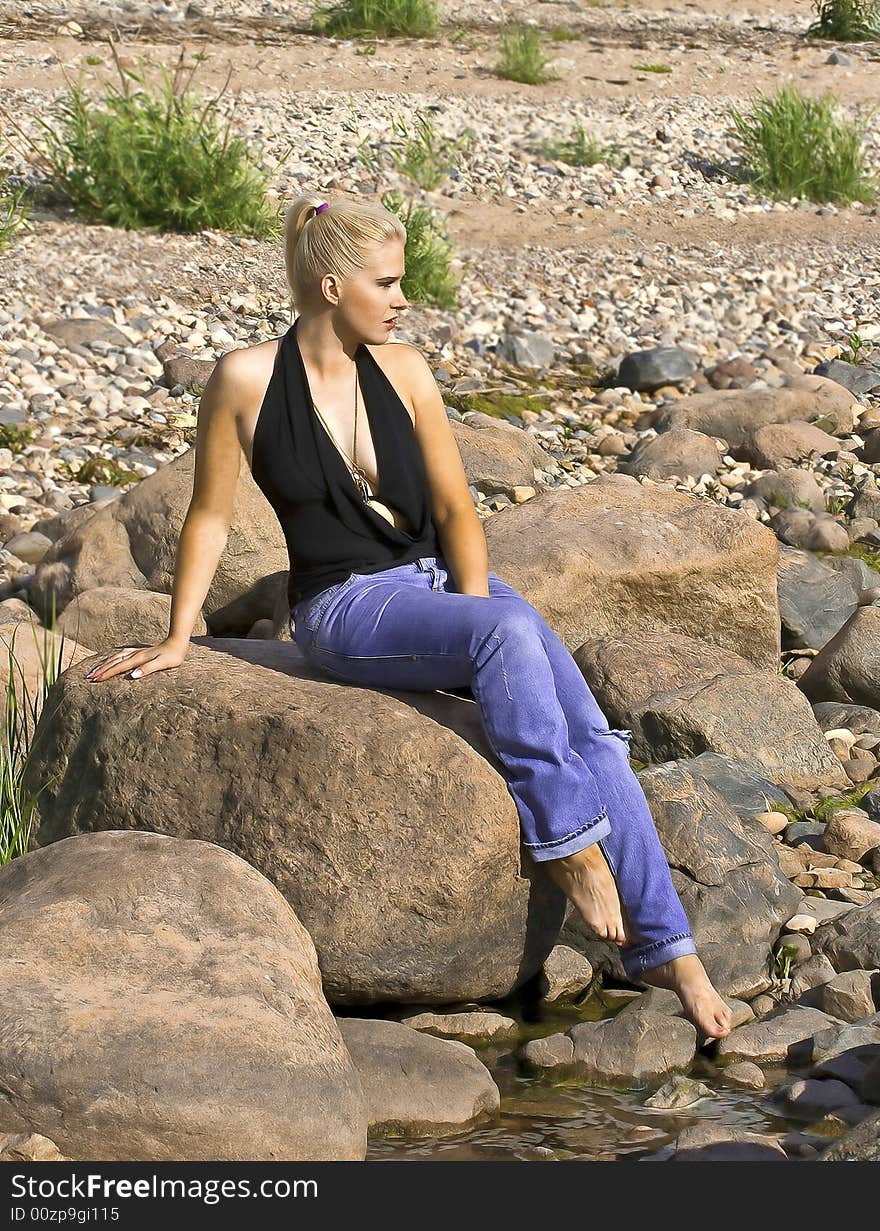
{"x": 137, "y": 159}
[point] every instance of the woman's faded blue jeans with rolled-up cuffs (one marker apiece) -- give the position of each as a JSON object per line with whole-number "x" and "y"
{"x": 568, "y": 772}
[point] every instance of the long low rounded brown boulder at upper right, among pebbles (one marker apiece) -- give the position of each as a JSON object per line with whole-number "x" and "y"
{"x": 737, "y": 414}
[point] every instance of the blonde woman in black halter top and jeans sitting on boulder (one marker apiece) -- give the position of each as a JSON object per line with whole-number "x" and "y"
{"x": 390, "y": 583}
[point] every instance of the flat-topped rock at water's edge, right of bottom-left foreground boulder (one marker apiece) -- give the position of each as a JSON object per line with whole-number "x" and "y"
{"x": 414, "y": 1083}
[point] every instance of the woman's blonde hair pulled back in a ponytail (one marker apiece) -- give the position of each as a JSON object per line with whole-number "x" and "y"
{"x": 338, "y": 241}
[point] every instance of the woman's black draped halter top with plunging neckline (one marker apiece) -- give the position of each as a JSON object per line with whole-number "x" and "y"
{"x": 329, "y": 529}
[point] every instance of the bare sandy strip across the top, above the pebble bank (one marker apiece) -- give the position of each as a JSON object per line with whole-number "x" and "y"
{"x": 712, "y": 63}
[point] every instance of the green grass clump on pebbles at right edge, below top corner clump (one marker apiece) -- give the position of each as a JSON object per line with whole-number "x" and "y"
{"x": 801, "y": 147}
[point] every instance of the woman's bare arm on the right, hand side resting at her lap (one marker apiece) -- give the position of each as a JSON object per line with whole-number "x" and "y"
{"x": 458, "y": 525}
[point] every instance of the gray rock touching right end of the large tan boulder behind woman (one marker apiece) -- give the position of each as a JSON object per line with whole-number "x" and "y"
{"x": 815, "y": 601}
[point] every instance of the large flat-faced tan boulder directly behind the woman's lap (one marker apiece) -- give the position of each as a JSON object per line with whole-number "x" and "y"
{"x": 618, "y": 556}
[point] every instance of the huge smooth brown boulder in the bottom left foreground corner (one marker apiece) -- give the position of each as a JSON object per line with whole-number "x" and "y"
{"x": 162, "y": 1003}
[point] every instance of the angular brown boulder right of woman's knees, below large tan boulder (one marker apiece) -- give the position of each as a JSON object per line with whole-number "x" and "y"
{"x": 682, "y": 697}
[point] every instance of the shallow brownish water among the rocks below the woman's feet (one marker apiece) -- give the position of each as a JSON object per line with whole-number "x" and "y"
{"x": 548, "y": 1117}
